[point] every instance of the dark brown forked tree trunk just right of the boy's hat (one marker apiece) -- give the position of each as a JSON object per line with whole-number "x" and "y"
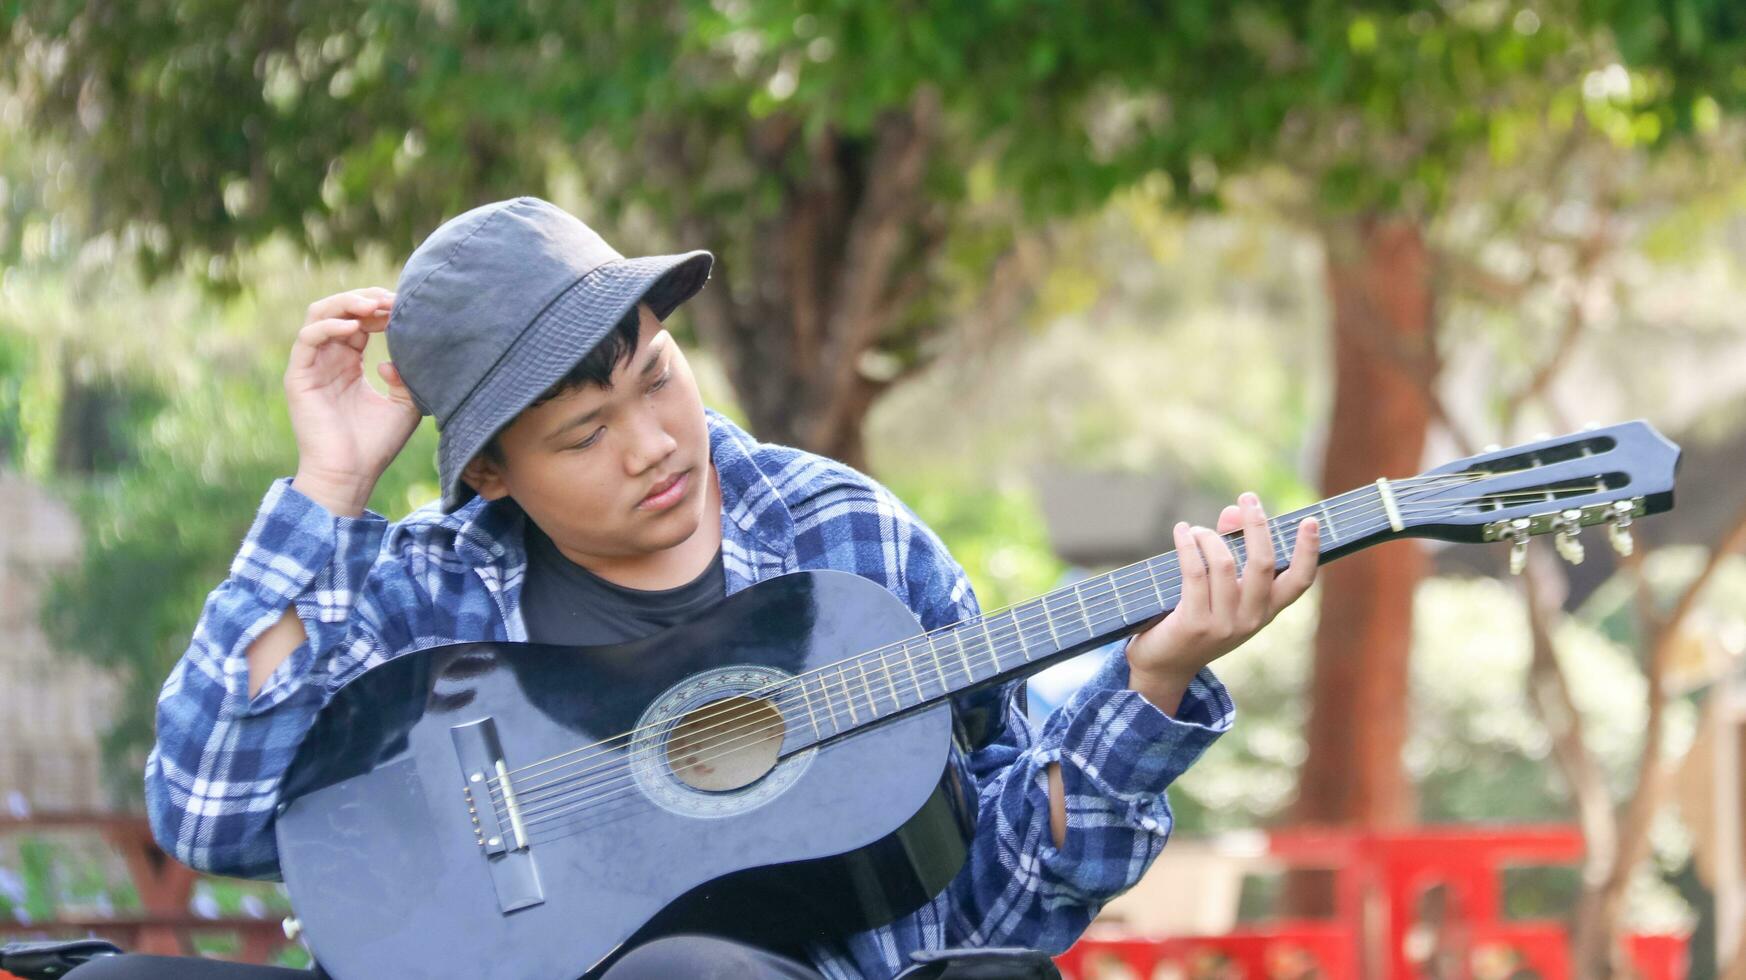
{"x": 813, "y": 294}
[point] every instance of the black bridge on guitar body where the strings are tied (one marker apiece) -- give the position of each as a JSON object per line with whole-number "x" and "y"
{"x": 502, "y": 838}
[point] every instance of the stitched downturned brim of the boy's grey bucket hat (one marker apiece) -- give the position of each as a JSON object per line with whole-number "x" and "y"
{"x": 553, "y": 345}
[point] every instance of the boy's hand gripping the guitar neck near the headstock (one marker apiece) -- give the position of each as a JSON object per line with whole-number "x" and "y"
{"x": 1218, "y": 609}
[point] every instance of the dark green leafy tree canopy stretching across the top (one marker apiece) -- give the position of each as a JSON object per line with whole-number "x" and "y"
{"x": 212, "y": 128}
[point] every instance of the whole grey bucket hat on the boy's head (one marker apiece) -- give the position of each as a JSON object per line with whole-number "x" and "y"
{"x": 500, "y": 303}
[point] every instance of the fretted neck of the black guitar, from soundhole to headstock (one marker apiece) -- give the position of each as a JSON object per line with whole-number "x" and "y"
{"x": 1029, "y": 637}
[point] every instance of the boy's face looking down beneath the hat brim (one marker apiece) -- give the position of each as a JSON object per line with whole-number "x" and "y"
{"x": 582, "y": 466}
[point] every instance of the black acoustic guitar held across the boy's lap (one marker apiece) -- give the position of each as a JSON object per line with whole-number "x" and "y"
{"x": 773, "y": 771}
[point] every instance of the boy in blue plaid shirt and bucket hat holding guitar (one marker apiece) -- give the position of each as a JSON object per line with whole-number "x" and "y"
{"x": 588, "y": 497}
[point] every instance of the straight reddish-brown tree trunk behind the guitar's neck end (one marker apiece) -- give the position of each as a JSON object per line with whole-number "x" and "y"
{"x": 1378, "y": 275}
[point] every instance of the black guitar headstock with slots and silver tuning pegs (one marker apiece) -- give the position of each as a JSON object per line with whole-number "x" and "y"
{"x": 1551, "y": 487}
